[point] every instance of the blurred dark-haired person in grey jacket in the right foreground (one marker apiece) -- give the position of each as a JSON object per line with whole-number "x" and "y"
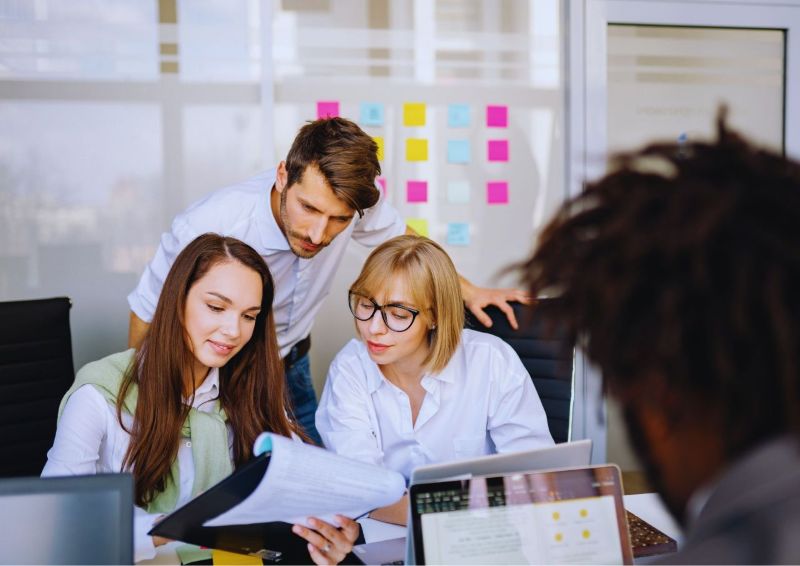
{"x": 679, "y": 274}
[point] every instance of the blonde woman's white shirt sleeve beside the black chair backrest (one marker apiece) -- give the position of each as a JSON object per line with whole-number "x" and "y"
{"x": 517, "y": 420}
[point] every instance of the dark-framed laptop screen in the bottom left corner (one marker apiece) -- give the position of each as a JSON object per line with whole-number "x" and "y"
{"x": 67, "y": 520}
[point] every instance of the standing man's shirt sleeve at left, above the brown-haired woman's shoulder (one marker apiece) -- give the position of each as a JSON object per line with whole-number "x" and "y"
{"x": 144, "y": 298}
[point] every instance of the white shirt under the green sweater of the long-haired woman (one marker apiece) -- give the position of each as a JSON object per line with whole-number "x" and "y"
{"x": 90, "y": 440}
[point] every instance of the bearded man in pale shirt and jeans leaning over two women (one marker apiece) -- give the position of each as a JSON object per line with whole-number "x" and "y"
{"x": 300, "y": 218}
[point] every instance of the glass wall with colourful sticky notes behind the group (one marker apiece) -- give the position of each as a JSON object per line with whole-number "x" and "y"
{"x": 115, "y": 115}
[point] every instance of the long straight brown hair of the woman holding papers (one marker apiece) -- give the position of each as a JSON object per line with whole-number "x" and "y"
{"x": 252, "y": 385}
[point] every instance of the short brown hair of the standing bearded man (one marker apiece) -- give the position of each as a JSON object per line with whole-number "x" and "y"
{"x": 346, "y": 156}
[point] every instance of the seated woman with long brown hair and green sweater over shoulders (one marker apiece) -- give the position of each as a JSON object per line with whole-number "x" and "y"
{"x": 184, "y": 410}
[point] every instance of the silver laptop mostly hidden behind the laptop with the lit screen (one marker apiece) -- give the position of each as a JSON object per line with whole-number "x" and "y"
{"x": 566, "y": 454}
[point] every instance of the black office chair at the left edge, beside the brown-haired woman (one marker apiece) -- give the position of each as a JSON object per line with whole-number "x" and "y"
{"x": 35, "y": 371}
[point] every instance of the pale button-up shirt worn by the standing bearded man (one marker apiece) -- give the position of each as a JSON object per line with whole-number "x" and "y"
{"x": 243, "y": 211}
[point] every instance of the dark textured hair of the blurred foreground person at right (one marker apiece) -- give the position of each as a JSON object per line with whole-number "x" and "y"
{"x": 683, "y": 263}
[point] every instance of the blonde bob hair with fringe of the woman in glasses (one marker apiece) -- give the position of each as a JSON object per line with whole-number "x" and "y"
{"x": 434, "y": 286}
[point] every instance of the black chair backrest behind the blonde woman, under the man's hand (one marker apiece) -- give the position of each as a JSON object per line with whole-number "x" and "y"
{"x": 547, "y": 354}
